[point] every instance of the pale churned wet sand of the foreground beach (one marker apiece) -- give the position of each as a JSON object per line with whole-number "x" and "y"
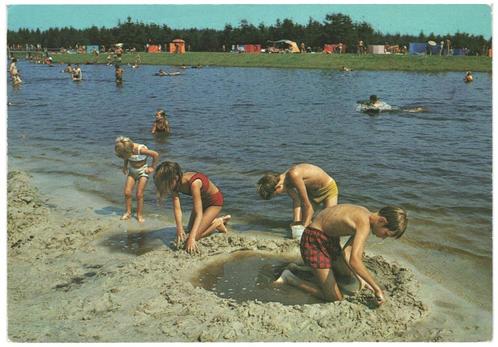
{"x": 72, "y": 278}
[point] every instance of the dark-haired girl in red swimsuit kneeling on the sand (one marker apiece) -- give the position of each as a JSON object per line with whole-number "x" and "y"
{"x": 207, "y": 200}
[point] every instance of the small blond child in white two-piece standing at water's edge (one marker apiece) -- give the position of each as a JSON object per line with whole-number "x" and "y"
{"x": 137, "y": 170}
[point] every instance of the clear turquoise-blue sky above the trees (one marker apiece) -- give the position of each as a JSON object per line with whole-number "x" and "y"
{"x": 387, "y": 18}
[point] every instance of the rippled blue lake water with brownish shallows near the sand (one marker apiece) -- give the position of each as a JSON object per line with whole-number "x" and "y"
{"x": 235, "y": 123}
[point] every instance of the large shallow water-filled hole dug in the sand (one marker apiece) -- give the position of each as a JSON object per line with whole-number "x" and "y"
{"x": 248, "y": 275}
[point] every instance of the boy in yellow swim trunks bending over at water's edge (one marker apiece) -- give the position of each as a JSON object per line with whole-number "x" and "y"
{"x": 304, "y": 183}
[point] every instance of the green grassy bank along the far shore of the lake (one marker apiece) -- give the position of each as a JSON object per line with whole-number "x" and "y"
{"x": 300, "y": 61}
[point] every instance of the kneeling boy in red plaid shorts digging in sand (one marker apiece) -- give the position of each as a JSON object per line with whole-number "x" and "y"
{"x": 323, "y": 256}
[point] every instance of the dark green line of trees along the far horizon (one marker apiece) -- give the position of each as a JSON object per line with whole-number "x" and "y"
{"x": 335, "y": 28}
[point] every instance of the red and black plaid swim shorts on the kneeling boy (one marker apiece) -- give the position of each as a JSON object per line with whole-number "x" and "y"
{"x": 319, "y": 250}
